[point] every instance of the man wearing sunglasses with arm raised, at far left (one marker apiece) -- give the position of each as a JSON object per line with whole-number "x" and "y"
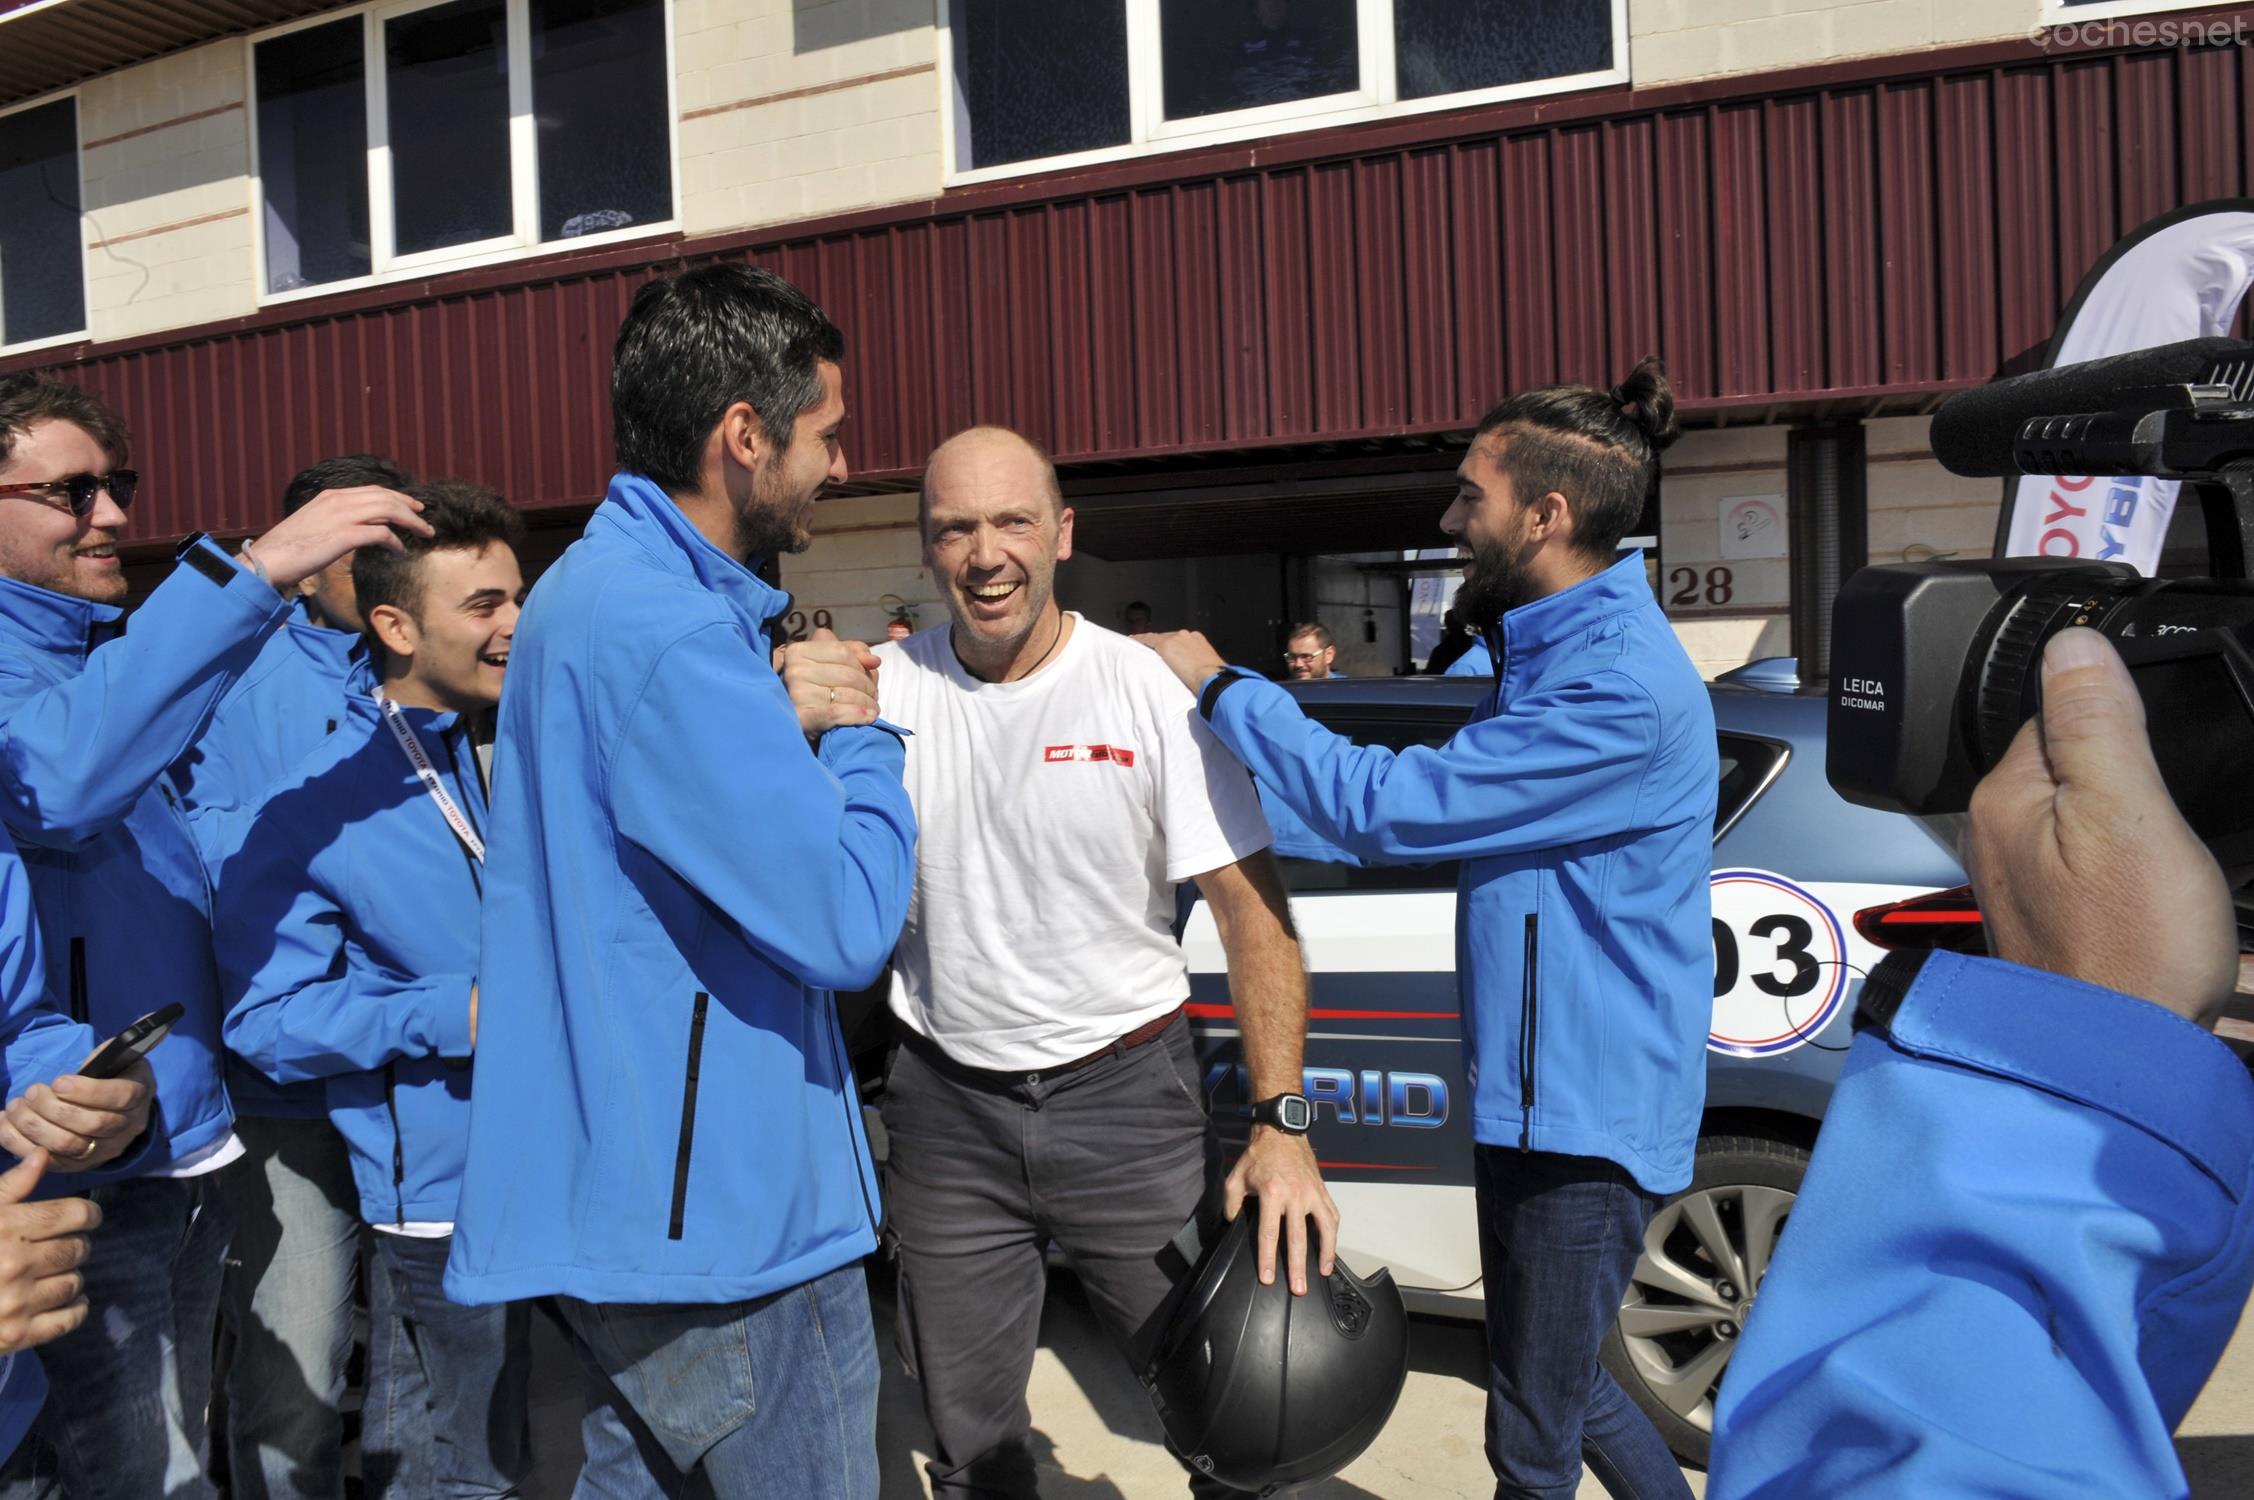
{"x": 89, "y": 723}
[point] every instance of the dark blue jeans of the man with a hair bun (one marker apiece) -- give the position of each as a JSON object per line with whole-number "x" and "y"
{"x": 1559, "y": 1239}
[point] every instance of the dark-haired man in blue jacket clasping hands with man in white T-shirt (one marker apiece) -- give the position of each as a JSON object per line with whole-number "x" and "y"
{"x": 666, "y": 1133}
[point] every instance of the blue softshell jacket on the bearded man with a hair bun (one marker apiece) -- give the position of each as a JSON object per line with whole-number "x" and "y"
{"x": 1581, "y": 804}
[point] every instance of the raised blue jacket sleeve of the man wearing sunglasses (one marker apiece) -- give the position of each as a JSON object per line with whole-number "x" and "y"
{"x": 78, "y": 755}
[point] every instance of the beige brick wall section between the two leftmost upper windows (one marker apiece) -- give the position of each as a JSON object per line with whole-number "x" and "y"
{"x": 166, "y": 155}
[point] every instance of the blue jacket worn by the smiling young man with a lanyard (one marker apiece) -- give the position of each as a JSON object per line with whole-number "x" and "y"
{"x": 348, "y": 946}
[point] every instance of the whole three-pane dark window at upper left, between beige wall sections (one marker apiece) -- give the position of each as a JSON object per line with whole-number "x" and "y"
{"x": 418, "y": 136}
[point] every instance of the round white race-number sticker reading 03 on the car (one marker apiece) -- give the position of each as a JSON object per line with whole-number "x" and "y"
{"x": 1782, "y": 964}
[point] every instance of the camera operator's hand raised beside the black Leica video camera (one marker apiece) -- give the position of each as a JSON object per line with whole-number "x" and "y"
{"x": 2082, "y": 861}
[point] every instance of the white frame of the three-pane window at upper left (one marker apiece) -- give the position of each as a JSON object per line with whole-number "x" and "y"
{"x": 524, "y": 159}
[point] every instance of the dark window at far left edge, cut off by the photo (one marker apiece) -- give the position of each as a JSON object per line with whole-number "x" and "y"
{"x": 42, "y": 249}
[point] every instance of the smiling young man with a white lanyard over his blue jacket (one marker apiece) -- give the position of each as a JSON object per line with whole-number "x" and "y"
{"x": 348, "y": 948}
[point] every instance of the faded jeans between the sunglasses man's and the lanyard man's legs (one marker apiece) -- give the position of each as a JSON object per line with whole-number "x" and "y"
{"x": 290, "y": 1298}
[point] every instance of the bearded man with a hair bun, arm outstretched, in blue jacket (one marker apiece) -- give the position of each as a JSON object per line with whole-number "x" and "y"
{"x": 1581, "y": 806}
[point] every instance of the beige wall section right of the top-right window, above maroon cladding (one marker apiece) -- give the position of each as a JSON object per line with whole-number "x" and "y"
{"x": 1694, "y": 39}
